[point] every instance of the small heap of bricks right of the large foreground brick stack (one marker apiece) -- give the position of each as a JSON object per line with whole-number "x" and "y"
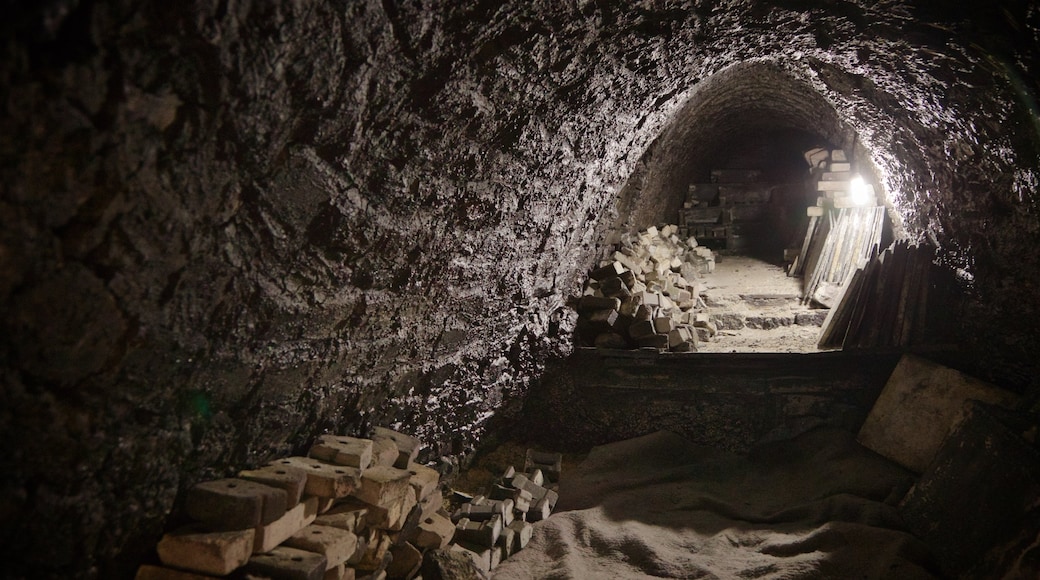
{"x": 492, "y": 528}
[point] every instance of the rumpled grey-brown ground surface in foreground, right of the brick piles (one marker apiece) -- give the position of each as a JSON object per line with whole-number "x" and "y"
{"x": 659, "y": 507}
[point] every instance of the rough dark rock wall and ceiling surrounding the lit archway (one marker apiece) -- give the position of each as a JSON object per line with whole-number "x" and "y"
{"x": 228, "y": 226}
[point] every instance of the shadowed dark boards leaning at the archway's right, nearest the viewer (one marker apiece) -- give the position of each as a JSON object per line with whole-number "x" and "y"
{"x": 886, "y": 302}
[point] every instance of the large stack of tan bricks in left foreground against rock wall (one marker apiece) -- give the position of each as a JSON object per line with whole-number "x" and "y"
{"x": 352, "y": 509}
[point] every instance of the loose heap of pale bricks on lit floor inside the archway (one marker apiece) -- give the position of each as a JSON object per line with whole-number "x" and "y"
{"x": 648, "y": 295}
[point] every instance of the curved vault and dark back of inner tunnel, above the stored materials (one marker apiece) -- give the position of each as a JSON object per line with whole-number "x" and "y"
{"x": 752, "y": 116}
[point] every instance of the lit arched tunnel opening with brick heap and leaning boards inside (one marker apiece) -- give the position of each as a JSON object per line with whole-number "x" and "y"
{"x": 738, "y": 172}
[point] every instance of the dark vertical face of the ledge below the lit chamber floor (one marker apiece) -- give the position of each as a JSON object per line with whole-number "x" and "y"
{"x": 725, "y": 401}
